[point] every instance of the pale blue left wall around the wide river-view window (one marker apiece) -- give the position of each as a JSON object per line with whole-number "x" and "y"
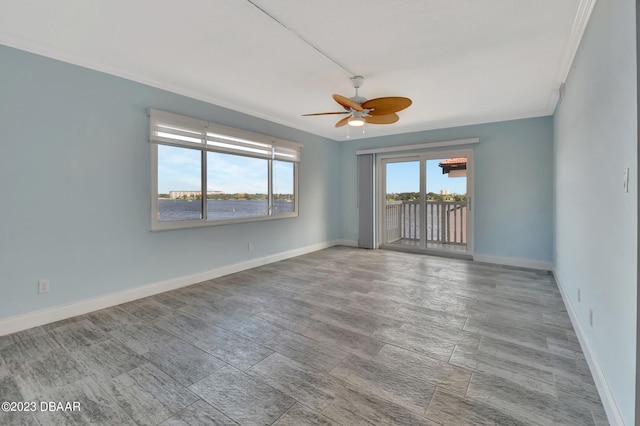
{"x": 74, "y": 168}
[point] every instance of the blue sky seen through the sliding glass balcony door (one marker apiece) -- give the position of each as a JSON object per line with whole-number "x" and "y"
{"x": 405, "y": 177}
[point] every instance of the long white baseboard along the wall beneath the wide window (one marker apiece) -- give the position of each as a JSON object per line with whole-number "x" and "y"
{"x": 57, "y": 313}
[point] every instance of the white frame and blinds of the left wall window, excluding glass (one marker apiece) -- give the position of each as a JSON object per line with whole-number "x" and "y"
{"x": 221, "y": 139}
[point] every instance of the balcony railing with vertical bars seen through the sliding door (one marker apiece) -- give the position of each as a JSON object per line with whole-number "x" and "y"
{"x": 446, "y": 221}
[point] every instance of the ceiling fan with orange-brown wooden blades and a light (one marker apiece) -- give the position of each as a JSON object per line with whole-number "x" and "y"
{"x": 361, "y": 110}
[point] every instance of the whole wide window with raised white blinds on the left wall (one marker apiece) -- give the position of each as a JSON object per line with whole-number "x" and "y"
{"x": 207, "y": 174}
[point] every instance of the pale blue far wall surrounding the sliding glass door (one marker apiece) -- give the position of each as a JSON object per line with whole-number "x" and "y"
{"x": 513, "y": 190}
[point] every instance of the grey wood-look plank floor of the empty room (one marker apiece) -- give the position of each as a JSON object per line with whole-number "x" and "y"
{"x": 338, "y": 337}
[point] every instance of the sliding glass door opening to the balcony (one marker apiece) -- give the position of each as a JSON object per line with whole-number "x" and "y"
{"x": 426, "y": 202}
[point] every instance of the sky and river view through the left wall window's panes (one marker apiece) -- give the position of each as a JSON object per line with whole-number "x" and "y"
{"x": 237, "y": 186}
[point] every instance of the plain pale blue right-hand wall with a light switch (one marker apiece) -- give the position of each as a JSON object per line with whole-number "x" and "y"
{"x": 596, "y": 222}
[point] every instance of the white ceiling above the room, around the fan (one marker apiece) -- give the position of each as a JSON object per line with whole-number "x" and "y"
{"x": 460, "y": 61}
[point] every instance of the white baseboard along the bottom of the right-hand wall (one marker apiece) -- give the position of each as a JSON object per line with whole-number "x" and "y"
{"x": 608, "y": 401}
